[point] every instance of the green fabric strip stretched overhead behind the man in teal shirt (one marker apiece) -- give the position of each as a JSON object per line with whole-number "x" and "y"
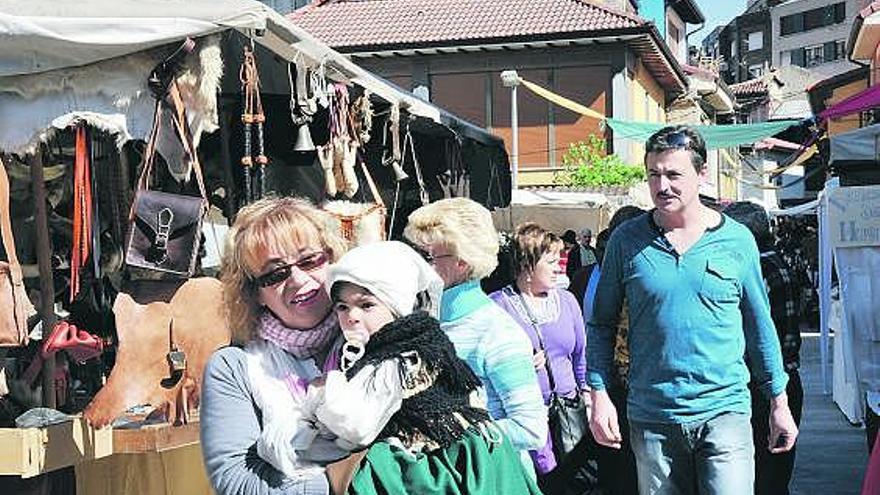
{"x": 716, "y": 136}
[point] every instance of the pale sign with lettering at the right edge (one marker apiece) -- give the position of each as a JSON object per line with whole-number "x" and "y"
{"x": 854, "y": 216}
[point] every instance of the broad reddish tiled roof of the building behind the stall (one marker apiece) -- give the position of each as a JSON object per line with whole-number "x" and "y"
{"x": 370, "y": 23}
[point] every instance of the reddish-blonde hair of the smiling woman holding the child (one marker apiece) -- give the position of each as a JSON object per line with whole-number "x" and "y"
{"x": 284, "y": 225}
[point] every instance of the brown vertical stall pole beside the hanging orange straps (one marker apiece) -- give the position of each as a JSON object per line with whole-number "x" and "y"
{"x": 47, "y": 288}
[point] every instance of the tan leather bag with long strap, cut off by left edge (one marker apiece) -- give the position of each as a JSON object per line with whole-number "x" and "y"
{"x": 15, "y": 307}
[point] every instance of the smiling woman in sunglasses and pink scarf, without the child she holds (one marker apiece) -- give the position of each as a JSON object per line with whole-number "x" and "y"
{"x": 255, "y": 437}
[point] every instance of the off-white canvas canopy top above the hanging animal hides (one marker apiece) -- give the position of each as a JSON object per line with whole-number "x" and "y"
{"x": 42, "y": 35}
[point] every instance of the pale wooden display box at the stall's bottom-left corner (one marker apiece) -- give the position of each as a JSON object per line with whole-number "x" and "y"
{"x": 27, "y": 452}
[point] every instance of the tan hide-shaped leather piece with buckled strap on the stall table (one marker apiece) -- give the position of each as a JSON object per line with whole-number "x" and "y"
{"x": 162, "y": 351}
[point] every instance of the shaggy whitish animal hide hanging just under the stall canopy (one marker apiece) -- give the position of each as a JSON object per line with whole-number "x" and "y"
{"x": 33, "y": 108}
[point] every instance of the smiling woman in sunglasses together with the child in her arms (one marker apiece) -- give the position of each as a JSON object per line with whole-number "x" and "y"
{"x": 296, "y": 396}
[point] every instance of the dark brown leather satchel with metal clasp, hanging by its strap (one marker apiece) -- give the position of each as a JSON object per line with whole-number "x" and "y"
{"x": 166, "y": 228}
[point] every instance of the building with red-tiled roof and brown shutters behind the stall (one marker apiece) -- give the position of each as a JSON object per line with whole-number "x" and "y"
{"x": 608, "y": 59}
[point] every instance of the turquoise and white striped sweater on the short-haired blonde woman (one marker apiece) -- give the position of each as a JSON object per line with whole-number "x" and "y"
{"x": 499, "y": 352}
